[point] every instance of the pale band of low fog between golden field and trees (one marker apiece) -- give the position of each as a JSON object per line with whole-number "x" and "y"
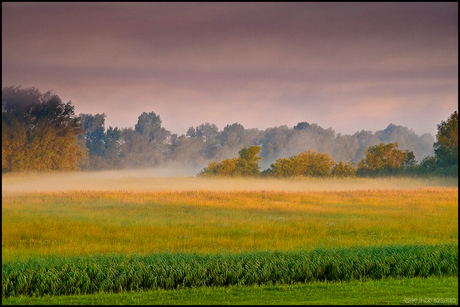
{"x": 185, "y": 180}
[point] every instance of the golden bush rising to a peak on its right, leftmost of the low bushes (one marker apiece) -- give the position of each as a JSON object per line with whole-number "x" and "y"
{"x": 245, "y": 165}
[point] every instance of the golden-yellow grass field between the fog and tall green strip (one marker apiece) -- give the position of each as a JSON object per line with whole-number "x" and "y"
{"x": 101, "y": 222}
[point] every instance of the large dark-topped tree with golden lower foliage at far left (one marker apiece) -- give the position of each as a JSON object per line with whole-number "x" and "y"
{"x": 39, "y": 132}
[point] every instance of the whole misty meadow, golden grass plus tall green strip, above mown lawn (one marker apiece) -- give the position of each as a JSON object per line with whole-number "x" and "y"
{"x": 402, "y": 228}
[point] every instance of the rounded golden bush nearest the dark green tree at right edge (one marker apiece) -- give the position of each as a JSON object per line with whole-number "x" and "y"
{"x": 385, "y": 160}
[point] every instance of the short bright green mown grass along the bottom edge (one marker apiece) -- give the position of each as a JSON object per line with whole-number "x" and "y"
{"x": 392, "y": 291}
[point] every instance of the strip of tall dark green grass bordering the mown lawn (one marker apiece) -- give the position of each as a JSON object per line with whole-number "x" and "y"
{"x": 116, "y": 273}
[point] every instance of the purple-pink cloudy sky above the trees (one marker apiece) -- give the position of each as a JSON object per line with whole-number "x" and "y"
{"x": 345, "y": 66}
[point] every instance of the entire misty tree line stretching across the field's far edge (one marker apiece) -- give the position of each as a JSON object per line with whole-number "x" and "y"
{"x": 42, "y": 133}
